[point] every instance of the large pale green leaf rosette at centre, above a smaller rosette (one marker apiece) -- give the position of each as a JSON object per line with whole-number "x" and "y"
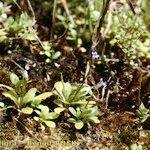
{"x": 70, "y": 95}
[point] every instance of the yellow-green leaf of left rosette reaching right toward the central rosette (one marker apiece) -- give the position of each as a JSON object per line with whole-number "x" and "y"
{"x": 37, "y": 100}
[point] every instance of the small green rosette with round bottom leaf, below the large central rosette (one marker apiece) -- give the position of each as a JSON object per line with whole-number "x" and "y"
{"x": 83, "y": 115}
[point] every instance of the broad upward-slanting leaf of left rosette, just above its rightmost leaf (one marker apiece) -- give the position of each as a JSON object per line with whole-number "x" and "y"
{"x": 29, "y": 96}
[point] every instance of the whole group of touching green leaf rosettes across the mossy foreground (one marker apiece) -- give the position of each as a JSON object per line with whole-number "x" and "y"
{"x": 73, "y": 99}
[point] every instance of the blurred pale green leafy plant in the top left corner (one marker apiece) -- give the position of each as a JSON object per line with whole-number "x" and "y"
{"x": 20, "y": 26}
